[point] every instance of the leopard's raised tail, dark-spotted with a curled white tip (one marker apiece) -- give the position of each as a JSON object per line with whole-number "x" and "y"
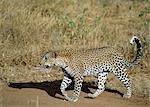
{"x": 138, "y": 50}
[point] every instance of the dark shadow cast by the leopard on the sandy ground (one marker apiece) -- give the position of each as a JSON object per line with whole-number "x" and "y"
{"x": 53, "y": 88}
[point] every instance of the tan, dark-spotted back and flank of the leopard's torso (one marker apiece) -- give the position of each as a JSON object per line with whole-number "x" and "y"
{"x": 82, "y": 60}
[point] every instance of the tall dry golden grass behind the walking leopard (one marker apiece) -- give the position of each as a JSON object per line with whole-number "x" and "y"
{"x": 28, "y": 28}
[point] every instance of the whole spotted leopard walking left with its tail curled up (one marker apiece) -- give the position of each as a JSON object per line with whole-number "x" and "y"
{"x": 97, "y": 62}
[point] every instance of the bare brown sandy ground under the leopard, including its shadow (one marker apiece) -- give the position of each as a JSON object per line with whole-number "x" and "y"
{"x": 49, "y": 95}
